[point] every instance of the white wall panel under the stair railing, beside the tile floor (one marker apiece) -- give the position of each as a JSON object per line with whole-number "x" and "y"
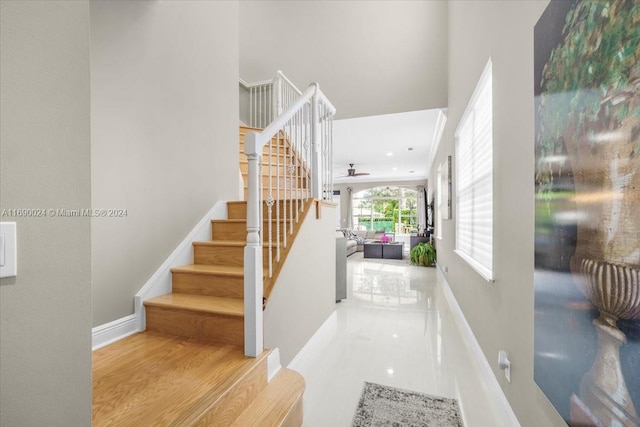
{"x": 305, "y": 294}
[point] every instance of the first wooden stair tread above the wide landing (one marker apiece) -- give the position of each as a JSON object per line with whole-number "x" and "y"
{"x": 200, "y": 303}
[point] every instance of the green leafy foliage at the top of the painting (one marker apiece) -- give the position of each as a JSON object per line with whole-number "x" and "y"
{"x": 591, "y": 77}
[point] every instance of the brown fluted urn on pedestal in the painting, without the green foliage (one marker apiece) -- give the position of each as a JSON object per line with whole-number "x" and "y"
{"x": 607, "y": 256}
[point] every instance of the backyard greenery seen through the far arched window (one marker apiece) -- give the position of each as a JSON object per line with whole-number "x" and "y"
{"x": 390, "y": 209}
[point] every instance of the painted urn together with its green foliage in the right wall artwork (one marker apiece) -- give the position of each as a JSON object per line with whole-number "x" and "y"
{"x": 591, "y": 105}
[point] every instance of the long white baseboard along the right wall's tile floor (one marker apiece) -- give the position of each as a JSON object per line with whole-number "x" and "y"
{"x": 483, "y": 364}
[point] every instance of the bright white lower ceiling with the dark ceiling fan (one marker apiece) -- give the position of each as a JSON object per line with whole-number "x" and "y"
{"x": 380, "y": 145}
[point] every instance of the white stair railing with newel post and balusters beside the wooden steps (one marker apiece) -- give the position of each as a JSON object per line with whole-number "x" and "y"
{"x": 298, "y": 146}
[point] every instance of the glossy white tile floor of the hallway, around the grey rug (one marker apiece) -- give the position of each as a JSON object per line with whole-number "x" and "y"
{"x": 394, "y": 328}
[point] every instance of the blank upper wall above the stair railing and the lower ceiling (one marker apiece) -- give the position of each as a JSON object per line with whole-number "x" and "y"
{"x": 370, "y": 57}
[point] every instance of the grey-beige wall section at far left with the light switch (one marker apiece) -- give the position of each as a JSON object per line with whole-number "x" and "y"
{"x": 45, "y": 312}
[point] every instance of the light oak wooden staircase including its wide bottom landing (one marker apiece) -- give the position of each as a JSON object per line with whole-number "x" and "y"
{"x": 188, "y": 368}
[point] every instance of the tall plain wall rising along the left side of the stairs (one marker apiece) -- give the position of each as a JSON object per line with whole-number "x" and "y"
{"x": 164, "y": 116}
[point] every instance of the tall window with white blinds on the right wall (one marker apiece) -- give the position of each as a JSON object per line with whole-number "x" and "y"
{"x": 474, "y": 179}
